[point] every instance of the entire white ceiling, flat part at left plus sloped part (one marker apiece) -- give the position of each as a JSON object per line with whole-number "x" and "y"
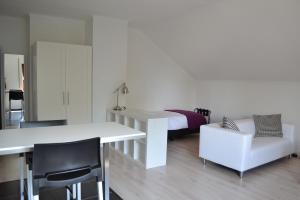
{"x": 211, "y": 39}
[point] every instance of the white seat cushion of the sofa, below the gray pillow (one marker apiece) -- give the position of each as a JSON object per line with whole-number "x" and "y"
{"x": 267, "y": 149}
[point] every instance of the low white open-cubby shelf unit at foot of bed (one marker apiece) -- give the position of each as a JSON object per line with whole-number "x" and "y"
{"x": 152, "y": 150}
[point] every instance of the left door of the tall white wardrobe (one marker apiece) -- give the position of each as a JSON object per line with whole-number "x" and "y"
{"x": 50, "y": 81}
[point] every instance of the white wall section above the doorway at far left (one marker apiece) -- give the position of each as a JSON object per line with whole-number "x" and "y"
{"x": 13, "y": 35}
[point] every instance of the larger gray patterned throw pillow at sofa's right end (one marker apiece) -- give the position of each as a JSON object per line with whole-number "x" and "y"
{"x": 268, "y": 125}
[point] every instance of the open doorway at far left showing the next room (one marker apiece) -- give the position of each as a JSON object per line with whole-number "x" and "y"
{"x": 14, "y": 69}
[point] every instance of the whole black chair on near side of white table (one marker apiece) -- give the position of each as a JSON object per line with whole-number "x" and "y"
{"x": 66, "y": 164}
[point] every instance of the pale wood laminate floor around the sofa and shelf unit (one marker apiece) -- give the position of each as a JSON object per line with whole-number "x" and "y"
{"x": 185, "y": 178}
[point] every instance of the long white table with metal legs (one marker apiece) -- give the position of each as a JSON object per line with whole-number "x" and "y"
{"x": 15, "y": 141}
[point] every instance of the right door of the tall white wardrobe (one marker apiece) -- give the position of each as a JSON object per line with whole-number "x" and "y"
{"x": 78, "y": 79}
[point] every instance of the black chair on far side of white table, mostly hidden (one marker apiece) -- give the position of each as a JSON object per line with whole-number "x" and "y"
{"x": 28, "y": 156}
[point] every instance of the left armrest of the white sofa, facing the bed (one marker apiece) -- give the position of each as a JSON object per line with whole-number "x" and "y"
{"x": 223, "y": 146}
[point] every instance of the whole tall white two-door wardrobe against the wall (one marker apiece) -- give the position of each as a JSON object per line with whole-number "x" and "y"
{"x": 62, "y": 82}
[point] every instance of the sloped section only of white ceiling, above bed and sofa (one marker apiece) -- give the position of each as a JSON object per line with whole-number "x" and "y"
{"x": 235, "y": 40}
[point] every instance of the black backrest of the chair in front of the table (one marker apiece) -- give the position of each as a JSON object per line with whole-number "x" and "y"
{"x": 56, "y": 161}
